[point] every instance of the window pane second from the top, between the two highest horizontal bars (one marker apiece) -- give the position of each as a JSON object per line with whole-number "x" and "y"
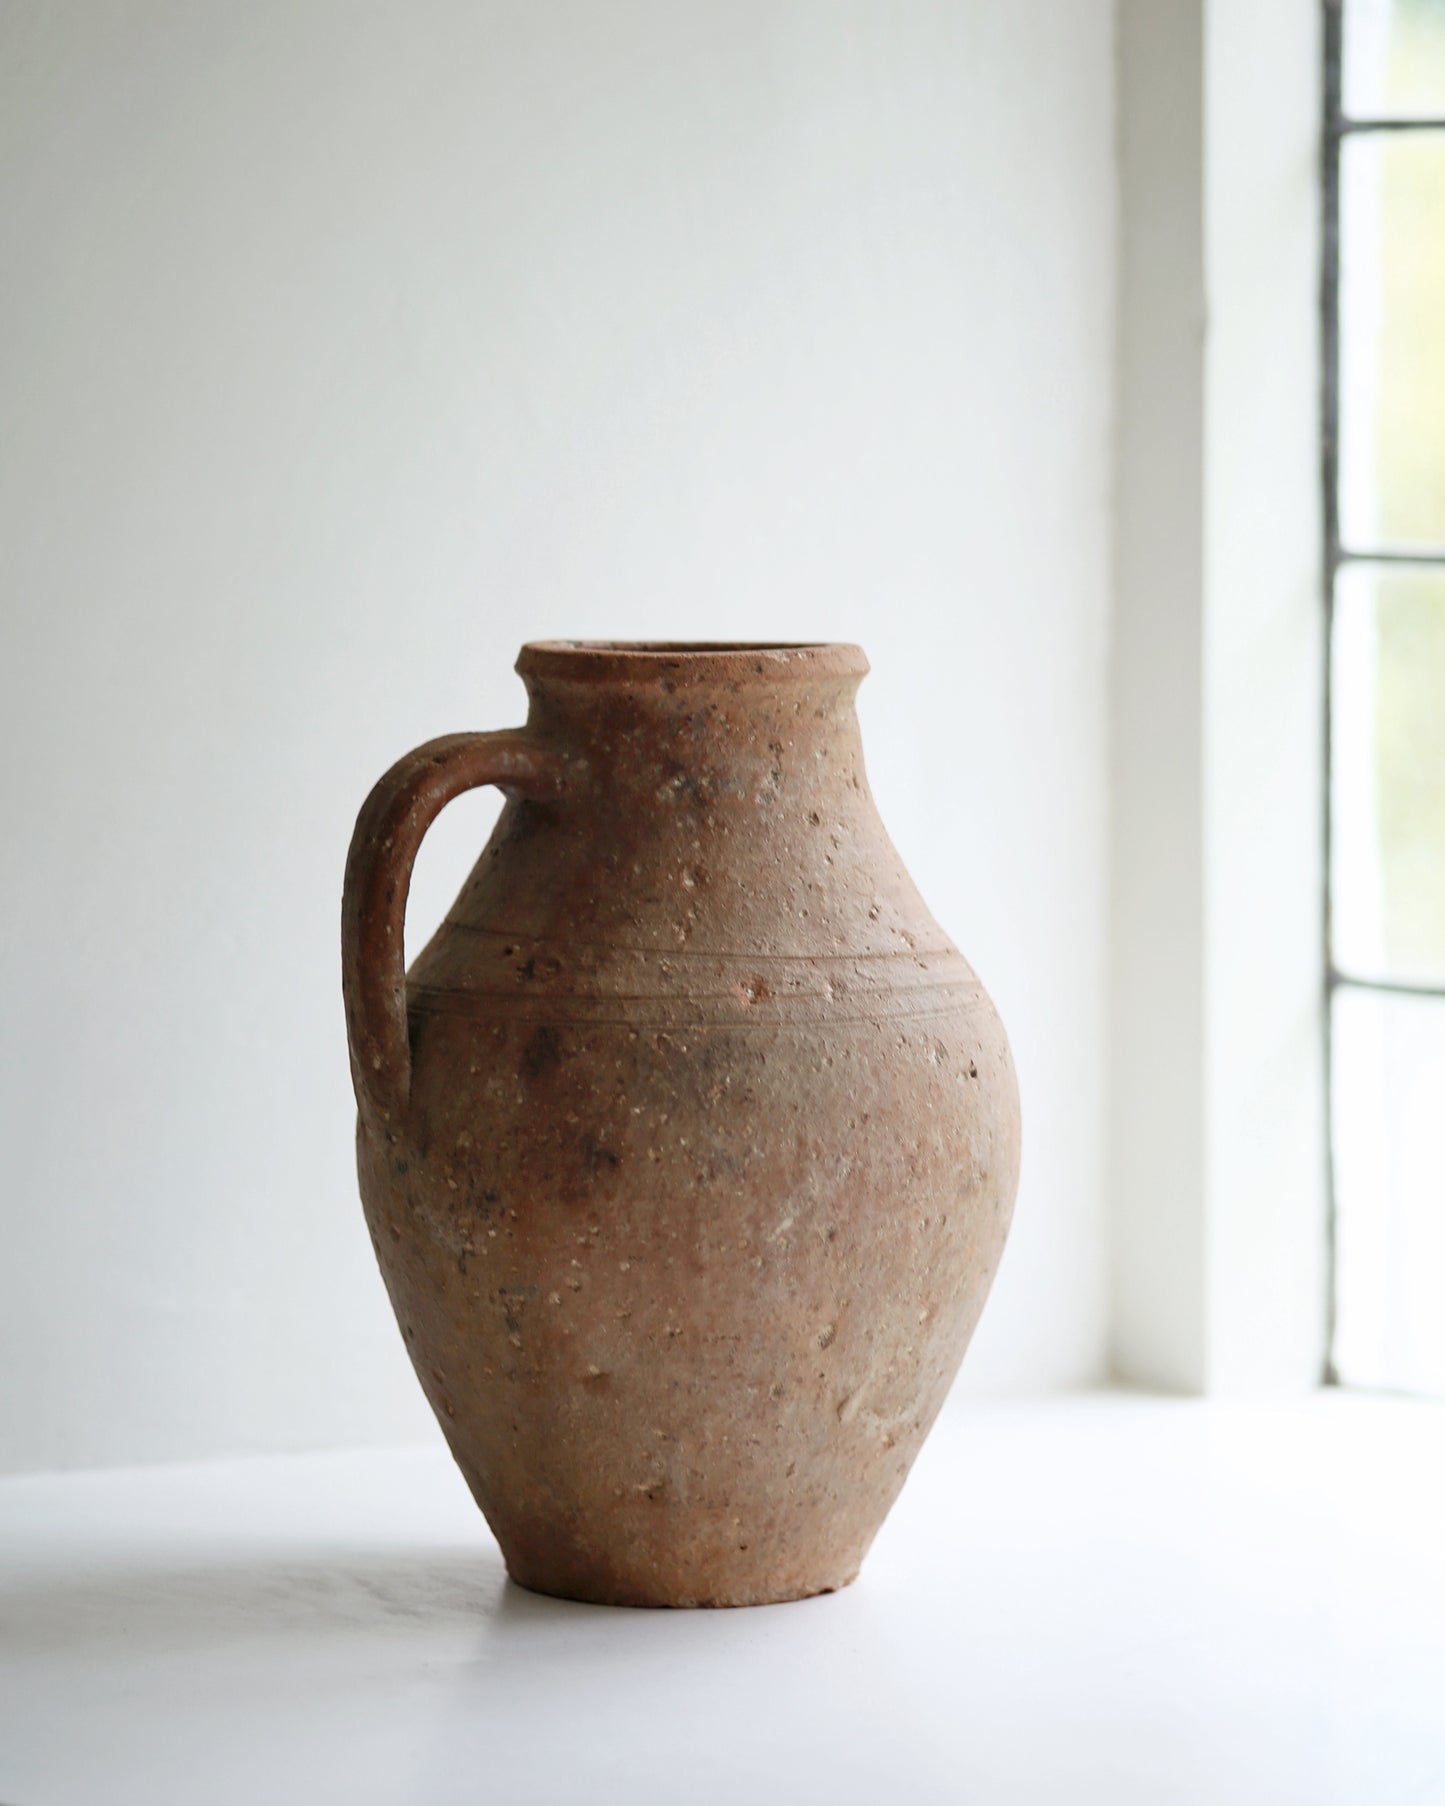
{"x": 1394, "y": 340}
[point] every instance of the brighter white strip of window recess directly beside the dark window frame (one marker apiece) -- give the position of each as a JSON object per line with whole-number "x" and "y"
{"x": 1263, "y": 664}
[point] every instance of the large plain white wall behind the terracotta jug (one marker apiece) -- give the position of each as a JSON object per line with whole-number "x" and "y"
{"x": 344, "y": 348}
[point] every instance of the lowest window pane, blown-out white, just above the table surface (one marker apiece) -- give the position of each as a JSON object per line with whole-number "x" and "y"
{"x": 1390, "y": 1169}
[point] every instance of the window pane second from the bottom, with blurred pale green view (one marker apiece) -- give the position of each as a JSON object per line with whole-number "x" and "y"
{"x": 1388, "y": 781}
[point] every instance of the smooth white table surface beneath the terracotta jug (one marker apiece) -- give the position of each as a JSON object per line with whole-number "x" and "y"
{"x": 1095, "y": 1599}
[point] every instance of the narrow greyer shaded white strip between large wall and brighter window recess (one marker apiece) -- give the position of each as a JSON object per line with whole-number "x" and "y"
{"x": 1157, "y": 1106}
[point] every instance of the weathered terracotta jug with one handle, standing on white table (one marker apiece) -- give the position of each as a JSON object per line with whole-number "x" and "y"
{"x": 689, "y": 1144}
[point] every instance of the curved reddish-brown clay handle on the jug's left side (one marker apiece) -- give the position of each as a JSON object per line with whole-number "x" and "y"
{"x": 386, "y": 842}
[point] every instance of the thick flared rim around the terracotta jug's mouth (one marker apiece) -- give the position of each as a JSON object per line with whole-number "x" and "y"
{"x": 698, "y": 660}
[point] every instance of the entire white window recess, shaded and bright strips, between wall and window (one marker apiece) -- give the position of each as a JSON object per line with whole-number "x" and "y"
{"x": 1217, "y": 1101}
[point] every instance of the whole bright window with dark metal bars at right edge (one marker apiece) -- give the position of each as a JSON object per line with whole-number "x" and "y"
{"x": 1384, "y": 503}
